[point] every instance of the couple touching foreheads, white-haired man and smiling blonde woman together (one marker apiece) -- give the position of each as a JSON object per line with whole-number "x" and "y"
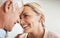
{"x": 30, "y": 16}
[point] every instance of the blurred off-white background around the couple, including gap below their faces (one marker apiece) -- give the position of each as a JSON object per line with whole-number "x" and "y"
{"x": 51, "y": 10}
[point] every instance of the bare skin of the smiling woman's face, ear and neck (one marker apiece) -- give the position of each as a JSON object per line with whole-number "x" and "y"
{"x": 31, "y": 23}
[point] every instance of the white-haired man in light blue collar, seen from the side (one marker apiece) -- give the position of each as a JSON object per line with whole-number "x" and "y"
{"x": 9, "y": 15}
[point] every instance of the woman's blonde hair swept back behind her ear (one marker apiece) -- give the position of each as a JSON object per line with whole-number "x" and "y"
{"x": 37, "y": 8}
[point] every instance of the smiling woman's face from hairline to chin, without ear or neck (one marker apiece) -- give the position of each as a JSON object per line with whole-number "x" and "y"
{"x": 29, "y": 20}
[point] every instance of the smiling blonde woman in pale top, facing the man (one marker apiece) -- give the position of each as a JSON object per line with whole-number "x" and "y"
{"x": 32, "y": 21}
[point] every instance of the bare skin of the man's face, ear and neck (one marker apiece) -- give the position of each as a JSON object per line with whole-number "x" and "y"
{"x": 8, "y": 17}
